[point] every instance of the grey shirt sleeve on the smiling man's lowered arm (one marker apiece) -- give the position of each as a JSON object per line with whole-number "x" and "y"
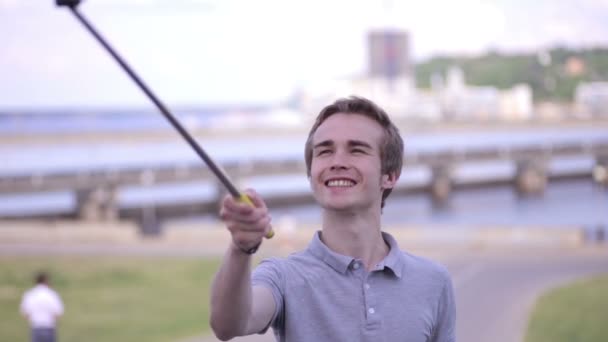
{"x": 445, "y": 329}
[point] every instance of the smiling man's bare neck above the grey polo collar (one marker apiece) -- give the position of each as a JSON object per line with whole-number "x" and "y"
{"x": 355, "y": 234}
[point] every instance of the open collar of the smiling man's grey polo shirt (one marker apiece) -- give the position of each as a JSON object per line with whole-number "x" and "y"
{"x": 393, "y": 261}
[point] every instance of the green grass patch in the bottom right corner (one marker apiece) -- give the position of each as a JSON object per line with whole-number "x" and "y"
{"x": 574, "y": 313}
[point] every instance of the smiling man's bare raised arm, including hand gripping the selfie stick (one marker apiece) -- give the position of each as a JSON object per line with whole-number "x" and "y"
{"x": 237, "y": 308}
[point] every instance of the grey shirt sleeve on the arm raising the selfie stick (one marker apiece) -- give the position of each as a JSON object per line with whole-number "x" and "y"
{"x": 268, "y": 274}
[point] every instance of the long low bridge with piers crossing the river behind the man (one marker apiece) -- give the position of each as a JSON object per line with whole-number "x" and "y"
{"x": 96, "y": 190}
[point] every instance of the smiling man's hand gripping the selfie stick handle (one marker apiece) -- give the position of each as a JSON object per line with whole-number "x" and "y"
{"x": 248, "y": 225}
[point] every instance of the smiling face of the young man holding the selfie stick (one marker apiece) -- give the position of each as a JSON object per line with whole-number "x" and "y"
{"x": 346, "y": 166}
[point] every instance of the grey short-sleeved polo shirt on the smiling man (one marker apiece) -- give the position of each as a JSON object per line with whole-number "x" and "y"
{"x": 324, "y": 296}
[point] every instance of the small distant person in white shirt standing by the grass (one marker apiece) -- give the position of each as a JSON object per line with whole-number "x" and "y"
{"x": 42, "y": 306}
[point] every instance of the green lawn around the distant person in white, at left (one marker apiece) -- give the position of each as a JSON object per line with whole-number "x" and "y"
{"x": 113, "y": 299}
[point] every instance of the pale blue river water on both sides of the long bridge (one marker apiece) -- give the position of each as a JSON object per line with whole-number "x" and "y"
{"x": 577, "y": 202}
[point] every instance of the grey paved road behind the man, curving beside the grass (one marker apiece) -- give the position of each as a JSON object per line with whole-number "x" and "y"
{"x": 495, "y": 290}
